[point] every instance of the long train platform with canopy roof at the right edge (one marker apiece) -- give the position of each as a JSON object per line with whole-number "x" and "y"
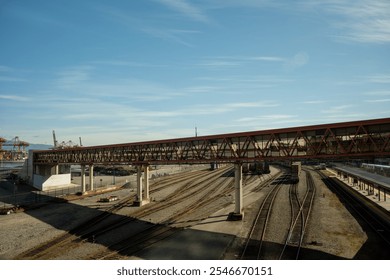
{"x": 378, "y": 182}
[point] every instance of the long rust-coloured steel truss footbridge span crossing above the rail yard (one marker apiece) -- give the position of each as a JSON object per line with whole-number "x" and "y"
{"x": 360, "y": 139}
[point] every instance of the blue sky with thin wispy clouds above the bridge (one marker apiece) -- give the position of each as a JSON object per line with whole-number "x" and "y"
{"x": 126, "y": 71}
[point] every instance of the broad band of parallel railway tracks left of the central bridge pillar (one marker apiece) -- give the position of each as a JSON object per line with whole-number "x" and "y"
{"x": 181, "y": 207}
